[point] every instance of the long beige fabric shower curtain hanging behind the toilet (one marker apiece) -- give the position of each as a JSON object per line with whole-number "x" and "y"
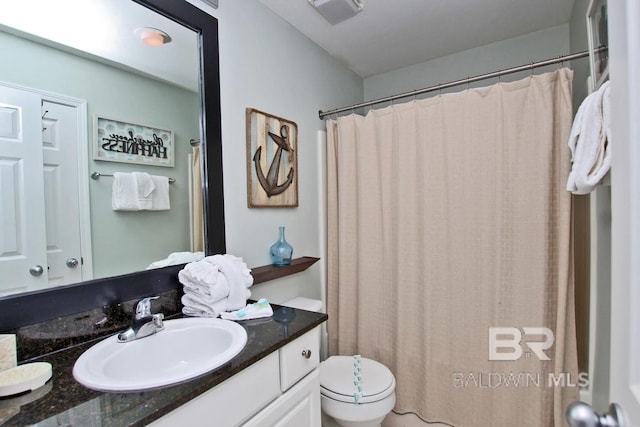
{"x": 448, "y": 217}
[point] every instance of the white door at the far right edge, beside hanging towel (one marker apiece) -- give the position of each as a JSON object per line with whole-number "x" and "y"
{"x": 624, "y": 52}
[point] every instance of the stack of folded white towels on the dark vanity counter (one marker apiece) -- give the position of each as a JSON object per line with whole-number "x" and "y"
{"x": 214, "y": 285}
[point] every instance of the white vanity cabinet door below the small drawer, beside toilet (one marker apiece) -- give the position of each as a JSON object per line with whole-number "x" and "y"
{"x": 300, "y": 406}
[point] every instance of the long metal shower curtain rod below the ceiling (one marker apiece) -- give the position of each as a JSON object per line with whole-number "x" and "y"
{"x": 531, "y": 66}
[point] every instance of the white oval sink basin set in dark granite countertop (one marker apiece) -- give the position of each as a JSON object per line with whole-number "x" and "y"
{"x": 185, "y": 349}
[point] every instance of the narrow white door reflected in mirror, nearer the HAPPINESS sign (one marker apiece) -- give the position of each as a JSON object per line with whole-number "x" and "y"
{"x": 62, "y": 218}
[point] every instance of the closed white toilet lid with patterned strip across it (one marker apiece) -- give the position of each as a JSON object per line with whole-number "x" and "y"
{"x": 337, "y": 379}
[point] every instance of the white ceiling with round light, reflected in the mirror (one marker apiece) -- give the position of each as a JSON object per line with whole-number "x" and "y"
{"x": 109, "y": 35}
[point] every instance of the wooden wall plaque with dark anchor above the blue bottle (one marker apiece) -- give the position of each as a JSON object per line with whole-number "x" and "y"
{"x": 272, "y": 160}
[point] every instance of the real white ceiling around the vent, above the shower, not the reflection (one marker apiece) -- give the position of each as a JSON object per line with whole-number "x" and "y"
{"x": 391, "y": 34}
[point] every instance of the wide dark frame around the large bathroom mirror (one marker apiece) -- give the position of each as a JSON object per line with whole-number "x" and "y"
{"x": 33, "y": 307}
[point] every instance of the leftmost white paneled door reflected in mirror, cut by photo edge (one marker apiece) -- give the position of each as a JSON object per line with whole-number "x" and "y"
{"x": 23, "y": 258}
